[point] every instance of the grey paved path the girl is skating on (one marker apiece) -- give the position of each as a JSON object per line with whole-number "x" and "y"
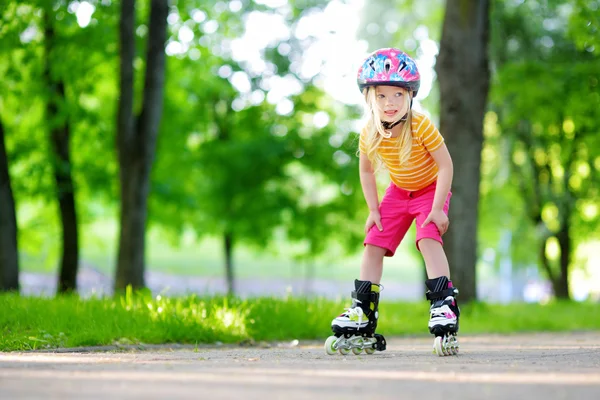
{"x": 536, "y": 366}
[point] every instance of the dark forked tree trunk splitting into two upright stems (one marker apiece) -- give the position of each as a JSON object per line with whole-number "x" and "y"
{"x": 137, "y": 138}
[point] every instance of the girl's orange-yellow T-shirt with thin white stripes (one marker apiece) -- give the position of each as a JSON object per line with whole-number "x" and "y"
{"x": 420, "y": 170}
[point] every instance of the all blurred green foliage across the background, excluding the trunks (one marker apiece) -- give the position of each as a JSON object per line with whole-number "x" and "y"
{"x": 229, "y": 159}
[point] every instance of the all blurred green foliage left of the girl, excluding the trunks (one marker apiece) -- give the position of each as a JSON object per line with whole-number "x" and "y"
{"x": 223, "y": 160}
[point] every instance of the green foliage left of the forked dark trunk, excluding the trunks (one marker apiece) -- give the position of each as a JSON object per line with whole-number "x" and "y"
{"x": 84, "y": 59}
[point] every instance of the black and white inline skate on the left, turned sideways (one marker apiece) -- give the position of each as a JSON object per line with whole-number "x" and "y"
{"x": 355, "y": 328}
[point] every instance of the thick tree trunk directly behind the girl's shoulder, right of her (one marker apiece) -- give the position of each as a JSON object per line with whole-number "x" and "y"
{"x": 463, "y": 73}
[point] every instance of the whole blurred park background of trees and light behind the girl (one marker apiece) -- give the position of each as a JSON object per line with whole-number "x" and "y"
{"x": 211, "y": 146}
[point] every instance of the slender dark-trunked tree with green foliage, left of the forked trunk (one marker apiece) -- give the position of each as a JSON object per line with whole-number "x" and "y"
{"x": 52, "y": 96}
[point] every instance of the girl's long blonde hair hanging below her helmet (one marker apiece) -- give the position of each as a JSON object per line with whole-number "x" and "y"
{"x": 375, "y": 132}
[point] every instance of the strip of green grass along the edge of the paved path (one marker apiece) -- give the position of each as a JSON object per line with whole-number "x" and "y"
{"x": 28, "y": 323}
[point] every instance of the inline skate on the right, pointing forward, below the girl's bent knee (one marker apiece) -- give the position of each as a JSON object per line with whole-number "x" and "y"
{"x": 444, "y": 315}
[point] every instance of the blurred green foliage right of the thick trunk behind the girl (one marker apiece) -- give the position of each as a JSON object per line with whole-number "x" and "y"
{"x": 539, "y": 171}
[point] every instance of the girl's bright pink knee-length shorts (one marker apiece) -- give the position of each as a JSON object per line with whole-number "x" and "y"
{"x": 398, "y": 209}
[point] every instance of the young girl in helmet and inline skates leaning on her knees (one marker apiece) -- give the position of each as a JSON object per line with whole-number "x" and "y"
{"x": 420, "y": 168}
